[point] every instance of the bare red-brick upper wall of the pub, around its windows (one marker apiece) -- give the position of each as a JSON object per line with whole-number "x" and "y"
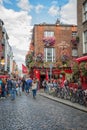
{"x": 63, "y": 34}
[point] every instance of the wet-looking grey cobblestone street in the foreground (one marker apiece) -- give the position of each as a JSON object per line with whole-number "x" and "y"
{"x": 26, "y": 113}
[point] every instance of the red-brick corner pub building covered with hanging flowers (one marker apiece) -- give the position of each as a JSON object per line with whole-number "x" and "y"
{"x": 52, "y": 46}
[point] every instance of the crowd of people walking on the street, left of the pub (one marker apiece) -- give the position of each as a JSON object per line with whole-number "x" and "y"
{"x": 15, "y": 86}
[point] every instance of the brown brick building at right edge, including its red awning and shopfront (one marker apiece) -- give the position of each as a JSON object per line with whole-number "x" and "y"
{"x": 82, "y": 33}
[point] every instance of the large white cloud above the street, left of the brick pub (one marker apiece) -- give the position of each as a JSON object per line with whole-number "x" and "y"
{"x": 18, "y": 27}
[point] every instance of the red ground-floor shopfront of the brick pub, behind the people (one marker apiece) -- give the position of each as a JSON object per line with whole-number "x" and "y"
{"x": 42, "y": 74}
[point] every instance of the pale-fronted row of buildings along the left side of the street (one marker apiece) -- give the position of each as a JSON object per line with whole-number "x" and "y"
{"x": 6, "y": 53}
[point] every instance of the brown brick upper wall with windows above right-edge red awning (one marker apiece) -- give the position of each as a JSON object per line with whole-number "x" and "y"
{"x": 82, "y": 26}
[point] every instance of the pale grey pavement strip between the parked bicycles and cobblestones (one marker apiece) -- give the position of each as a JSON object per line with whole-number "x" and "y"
{"x": 66, "y": 102}
